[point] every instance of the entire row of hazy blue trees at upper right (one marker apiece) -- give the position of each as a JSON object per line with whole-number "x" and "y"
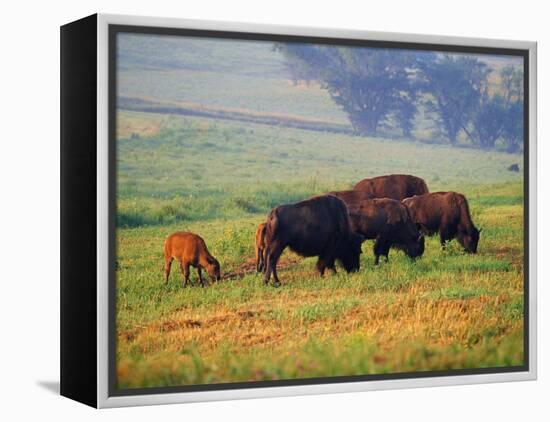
{"x": 383, "y": 88}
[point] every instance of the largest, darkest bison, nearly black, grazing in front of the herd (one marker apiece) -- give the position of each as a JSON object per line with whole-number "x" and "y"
{"x": 319, "y": 227}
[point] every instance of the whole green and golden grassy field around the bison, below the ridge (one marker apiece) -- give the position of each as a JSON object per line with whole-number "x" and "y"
{"x": 447, "y": 310}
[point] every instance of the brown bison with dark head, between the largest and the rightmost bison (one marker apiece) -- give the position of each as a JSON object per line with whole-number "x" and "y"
{"x": 387, "y": 221}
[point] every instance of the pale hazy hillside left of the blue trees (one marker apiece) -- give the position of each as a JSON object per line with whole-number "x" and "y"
{"x": 218, "y": 73}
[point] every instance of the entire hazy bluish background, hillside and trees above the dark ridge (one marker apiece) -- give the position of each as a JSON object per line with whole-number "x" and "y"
{"x": 324, "y": 87}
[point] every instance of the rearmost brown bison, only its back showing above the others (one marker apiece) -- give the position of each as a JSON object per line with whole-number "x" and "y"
{"x": 394, "y": 186}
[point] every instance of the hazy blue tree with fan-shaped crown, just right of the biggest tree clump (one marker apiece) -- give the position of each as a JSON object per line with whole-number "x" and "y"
{"x": 456, "y": 85}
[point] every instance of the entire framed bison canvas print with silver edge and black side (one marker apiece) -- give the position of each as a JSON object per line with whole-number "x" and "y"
{"x": 253, "y": 211}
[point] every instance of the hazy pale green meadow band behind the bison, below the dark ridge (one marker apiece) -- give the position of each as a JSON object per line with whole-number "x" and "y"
{"x": 194, "y": 169}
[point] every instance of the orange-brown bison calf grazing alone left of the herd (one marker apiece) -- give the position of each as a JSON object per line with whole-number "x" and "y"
{"x": 190, "y": 250}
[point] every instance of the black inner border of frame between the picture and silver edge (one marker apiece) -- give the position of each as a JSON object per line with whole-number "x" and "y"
{"x": 241, "y": 36}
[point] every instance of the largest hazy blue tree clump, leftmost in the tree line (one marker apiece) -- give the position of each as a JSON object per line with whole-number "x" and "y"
{"x": 371, "y": 85}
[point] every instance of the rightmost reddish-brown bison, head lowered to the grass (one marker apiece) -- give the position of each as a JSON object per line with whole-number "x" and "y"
{"x": 446, "y": 213}
